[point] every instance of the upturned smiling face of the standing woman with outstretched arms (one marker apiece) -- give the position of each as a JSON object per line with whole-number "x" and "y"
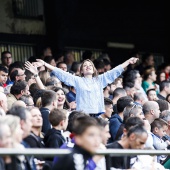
{"x": 87, "y": 68}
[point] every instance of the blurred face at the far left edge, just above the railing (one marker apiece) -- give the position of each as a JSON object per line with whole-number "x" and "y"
{"x": 6, "y": 140}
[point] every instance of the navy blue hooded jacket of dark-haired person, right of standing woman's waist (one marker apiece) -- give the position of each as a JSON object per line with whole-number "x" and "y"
{"x": 115, "y": 123}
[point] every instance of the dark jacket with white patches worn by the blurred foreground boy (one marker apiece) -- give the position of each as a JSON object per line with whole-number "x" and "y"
{"x": 78, "y": 158}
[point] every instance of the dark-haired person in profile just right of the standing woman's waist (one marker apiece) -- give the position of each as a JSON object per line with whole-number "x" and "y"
{"x": 108, "y": 109}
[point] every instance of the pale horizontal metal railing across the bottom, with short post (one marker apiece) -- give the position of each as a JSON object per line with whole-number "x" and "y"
{"x": 61, "y": 152}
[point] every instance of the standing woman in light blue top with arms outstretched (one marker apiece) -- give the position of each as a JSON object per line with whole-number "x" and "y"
{"x": 89, "y": 87}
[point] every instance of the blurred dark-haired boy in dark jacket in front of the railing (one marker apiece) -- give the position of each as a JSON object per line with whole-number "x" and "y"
{"x": 87, "y": 141}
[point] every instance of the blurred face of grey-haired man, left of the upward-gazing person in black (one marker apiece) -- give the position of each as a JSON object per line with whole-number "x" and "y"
{"x": 26, "y": 125}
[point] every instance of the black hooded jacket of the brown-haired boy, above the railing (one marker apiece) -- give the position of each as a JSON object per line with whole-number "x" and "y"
{"x": 53, "y": 138}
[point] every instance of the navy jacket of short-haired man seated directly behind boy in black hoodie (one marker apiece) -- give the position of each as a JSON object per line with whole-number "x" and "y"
{"x": 46, "y": 124}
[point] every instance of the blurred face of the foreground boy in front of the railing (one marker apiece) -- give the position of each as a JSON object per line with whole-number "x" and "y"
{"x": 90, "y": 139}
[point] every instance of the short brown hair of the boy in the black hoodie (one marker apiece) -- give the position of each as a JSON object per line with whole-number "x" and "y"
{"x": 56, "y": 116}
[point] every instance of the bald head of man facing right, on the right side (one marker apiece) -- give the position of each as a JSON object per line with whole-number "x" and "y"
{"x": 151, "y": 110}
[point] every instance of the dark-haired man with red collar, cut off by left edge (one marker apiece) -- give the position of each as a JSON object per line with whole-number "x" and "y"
{"x": 3, "y": 75}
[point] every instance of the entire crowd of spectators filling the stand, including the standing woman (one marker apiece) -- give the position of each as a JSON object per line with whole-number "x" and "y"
{"x": 84, "y": 106}
